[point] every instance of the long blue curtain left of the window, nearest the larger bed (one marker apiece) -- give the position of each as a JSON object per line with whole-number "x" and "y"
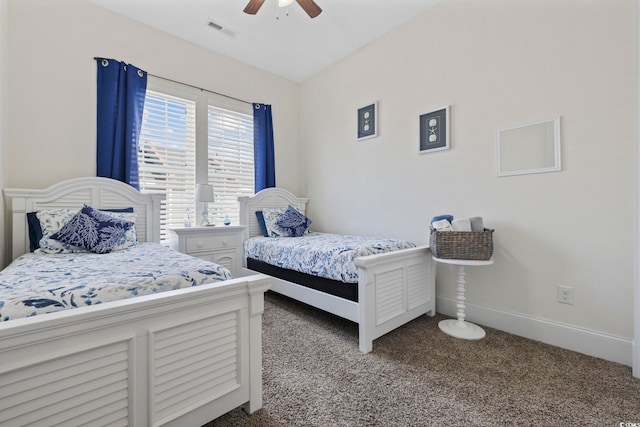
{"x": 121, "y": 92}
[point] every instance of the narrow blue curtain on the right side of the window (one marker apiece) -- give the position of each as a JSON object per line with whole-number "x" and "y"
{"x": 265, "y": 166}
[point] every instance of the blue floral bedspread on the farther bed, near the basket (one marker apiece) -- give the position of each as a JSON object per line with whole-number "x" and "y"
{"x": 320, "y": 254}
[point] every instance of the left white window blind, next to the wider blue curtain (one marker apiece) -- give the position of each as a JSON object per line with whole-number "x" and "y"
{"x": 166, "y": 157}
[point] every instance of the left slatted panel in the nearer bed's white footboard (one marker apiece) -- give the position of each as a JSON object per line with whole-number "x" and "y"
{"x": 88, "y": 387}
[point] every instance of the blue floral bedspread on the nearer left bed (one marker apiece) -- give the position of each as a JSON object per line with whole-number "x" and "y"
{"x": 44, "y": 283}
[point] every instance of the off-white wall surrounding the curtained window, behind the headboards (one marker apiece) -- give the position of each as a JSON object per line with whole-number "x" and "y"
{"x": 52, "y": 92}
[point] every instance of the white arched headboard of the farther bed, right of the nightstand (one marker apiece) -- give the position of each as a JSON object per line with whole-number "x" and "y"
{"x": 267, "y": 198}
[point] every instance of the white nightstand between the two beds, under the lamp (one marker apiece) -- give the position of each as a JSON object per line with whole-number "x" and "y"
{"x": 222, "y": 245}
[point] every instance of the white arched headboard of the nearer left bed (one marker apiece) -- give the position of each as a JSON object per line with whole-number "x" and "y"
{"x": 101, "y": 193}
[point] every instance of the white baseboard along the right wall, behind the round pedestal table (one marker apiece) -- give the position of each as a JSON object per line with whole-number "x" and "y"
{"x": 570, "y": 337}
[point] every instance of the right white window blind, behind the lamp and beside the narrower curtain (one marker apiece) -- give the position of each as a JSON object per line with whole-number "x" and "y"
{"x": 230, "y": 160}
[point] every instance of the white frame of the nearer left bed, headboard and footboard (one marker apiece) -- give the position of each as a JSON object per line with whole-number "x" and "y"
{"x": 178, "y": 358}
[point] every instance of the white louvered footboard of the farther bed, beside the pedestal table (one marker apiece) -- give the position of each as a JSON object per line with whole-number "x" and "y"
{"x": 393, "y": 289}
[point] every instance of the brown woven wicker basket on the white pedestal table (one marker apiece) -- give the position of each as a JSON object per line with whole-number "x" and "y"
{"x": 467, "y": 245}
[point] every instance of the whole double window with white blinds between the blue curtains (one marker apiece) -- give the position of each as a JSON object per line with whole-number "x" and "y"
{"x": 174, "y": 154}
